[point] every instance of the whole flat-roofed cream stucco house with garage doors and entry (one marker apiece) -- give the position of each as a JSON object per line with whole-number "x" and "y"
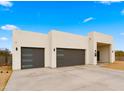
{"x": 58, "y": 49}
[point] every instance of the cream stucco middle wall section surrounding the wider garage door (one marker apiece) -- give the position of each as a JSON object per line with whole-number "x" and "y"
{"x": 66, "y": 40}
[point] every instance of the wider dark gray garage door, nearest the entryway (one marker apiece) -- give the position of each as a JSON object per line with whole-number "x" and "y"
{"x": 70, "y": 57}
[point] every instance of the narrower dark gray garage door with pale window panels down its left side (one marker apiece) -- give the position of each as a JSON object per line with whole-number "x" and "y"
{"x": 32, "y": 57}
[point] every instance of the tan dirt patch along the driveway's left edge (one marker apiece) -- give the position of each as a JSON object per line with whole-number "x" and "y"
{"x": 5, "y": 73}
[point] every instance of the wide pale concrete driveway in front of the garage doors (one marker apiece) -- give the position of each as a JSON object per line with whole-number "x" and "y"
{"x": 67, "y": 78}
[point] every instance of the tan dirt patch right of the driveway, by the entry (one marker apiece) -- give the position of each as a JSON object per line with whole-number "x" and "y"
{"x": 119, "y": 65}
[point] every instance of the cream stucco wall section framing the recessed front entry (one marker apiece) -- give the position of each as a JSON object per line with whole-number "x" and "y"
{"x": 94, "y": 38}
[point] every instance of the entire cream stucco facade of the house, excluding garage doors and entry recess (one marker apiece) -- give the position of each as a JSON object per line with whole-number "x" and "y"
{"x": 56, "y": 39}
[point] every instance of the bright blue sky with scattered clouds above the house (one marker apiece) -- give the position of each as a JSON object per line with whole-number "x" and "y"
{"x": 74, "y": 17}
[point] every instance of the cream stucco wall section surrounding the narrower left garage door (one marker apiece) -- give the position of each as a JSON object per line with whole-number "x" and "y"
{"x": 28, "y": 39}
